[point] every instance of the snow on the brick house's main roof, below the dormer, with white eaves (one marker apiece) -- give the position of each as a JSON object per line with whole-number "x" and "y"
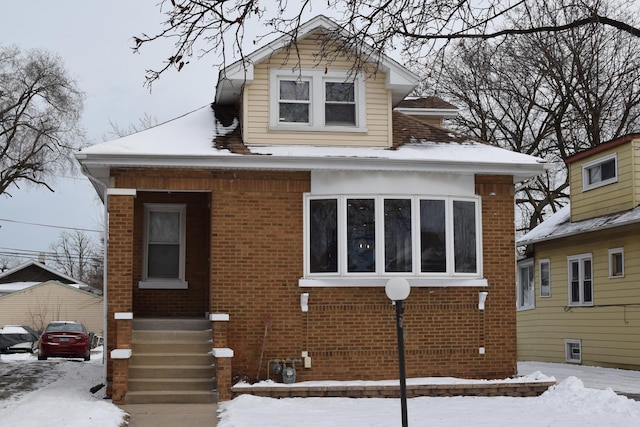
{"x": 190, "y": 141}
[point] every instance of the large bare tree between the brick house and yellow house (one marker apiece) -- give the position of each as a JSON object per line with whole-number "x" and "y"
{"x": 548, "y": 95}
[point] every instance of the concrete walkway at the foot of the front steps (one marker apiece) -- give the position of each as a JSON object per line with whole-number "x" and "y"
{"x": 172, "y": 415}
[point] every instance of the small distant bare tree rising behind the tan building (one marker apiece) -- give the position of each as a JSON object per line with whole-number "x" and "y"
{"x": 78, "y": 256}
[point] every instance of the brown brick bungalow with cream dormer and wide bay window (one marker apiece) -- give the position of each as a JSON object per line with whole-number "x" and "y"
{"x": 278, "y": 214}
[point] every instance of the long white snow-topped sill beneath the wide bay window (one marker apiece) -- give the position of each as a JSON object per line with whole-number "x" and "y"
{"x": 421, "y": 282}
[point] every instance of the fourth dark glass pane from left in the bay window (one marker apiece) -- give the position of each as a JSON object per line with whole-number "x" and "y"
{"x": 433, "y": 258}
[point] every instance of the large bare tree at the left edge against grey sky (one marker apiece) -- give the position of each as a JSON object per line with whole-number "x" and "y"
{"x": 40, "y": 107}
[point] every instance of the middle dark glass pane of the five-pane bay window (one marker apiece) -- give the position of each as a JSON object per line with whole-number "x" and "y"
{"x": 397, "y": 235}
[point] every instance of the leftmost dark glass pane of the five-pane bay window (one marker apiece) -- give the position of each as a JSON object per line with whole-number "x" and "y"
{"x": 323, "y": 236}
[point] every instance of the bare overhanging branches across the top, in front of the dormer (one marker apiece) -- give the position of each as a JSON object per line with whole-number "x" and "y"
{"x": 415, "y": 27}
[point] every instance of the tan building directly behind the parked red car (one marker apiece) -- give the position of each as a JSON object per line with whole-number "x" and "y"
{"x": 39, "y": 304}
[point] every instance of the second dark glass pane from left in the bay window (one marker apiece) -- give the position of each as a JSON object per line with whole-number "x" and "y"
{"x": 361, "y": 235}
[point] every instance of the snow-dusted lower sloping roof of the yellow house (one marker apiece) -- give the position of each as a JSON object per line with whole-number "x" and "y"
{"x": 560, "y": 225}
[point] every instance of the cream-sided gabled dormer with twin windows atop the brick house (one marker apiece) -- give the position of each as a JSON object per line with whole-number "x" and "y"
{"x": 289, "y": 94}
